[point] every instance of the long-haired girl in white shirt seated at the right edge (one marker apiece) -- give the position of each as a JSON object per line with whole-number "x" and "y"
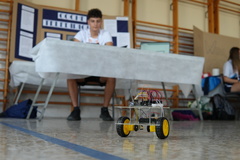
{"x": 231, "y": 71}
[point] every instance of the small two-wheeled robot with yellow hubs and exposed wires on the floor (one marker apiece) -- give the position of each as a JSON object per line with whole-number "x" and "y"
{"x": 149, "y": 113}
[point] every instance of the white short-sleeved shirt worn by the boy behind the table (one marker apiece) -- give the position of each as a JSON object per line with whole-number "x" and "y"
{"x": 85, "y": 37}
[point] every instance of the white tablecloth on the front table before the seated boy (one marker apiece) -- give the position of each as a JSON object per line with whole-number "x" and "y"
{"x": 71, "y": 59}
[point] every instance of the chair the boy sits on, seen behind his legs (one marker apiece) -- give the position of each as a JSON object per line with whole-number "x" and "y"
{"x": 94, "y": 86}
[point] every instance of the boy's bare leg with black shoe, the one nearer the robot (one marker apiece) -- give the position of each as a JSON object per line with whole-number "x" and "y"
{"x": 108, "y": 92}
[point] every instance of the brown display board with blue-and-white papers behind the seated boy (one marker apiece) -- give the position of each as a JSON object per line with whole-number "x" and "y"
{"x": 32, "y": 23}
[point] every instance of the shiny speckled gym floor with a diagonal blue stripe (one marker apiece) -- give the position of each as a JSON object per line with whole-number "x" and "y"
{"x": 58, "y": 139}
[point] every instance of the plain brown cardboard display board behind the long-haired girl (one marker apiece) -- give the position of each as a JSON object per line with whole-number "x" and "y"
{"x": 215, "y": 48}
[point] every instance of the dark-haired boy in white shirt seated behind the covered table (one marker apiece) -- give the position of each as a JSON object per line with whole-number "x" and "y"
{"x": 94, "y": 35}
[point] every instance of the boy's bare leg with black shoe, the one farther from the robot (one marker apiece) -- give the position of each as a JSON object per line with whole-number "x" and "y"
{"x": 73, "y": 93}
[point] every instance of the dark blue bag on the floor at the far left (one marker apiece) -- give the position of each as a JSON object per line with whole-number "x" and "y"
{"x": 20, "y": 110}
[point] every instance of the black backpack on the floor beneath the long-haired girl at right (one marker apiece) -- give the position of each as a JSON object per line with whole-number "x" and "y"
{"x": 222, "y": 109}
